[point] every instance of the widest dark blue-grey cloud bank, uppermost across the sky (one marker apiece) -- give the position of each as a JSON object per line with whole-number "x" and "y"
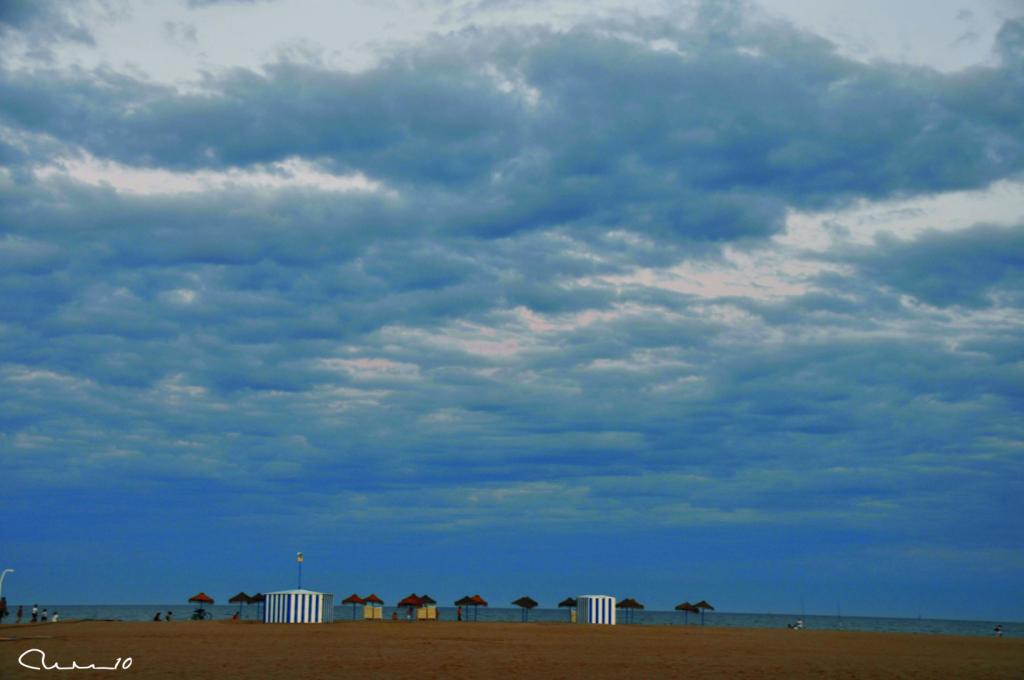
{"x": 524, "y": 131}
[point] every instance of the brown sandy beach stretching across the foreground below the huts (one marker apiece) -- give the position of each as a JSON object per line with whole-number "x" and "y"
{"x": 435, "y": 650}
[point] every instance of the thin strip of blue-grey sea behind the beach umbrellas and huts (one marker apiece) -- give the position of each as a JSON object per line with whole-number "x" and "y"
{"x": 639, "y": 618}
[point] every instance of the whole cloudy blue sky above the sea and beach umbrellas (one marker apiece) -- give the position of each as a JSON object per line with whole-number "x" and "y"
{"x": 689, "y": 301}
